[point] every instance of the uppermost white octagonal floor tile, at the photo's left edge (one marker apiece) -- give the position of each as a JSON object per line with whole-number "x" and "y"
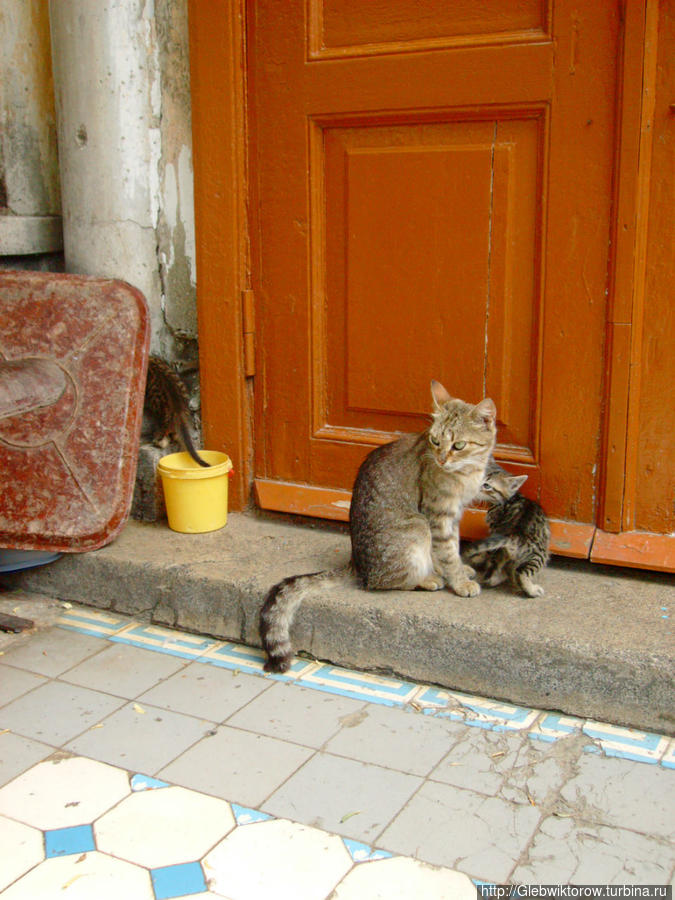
{"x": 58, "y": 793}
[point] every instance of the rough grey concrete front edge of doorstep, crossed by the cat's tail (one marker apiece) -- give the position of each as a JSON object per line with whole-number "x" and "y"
{"x": 369, "y": 631}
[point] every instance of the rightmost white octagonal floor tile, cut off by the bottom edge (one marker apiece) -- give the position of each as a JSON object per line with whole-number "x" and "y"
{"x": 401, "y": 878}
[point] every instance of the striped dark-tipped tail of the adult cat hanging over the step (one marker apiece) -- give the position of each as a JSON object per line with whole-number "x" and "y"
{"x": 279, "y": 608}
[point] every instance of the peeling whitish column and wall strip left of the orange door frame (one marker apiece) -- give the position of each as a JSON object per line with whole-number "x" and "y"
{"x": 121, "y": 77}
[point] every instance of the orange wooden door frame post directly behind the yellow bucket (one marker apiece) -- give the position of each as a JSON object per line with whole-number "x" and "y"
{"x": 218, "y": 88}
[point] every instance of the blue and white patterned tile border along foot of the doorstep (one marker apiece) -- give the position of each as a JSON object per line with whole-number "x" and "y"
{"x": 472, "y": 710}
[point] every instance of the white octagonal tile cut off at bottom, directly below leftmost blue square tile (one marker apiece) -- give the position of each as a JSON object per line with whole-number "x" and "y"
{"x": 81, "y": 878}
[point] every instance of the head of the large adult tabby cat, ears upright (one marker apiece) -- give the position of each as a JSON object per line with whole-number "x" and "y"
{"x": 461, "y": 436}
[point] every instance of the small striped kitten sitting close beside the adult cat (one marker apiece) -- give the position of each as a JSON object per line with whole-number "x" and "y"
{"x": 517, "y": 548}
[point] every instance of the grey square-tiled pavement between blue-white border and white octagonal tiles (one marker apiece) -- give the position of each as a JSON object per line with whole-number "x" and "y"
{"x": 498, "y": 805}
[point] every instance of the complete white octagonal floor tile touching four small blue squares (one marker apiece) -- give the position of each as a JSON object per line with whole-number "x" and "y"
{"x": 164, "y": 827}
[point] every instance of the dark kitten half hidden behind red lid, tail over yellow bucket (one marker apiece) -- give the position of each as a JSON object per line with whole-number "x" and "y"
{"x": 166, "y": 404}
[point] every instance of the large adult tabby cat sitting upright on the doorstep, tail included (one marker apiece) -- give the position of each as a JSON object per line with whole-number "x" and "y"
{"x": 406, "y": 505}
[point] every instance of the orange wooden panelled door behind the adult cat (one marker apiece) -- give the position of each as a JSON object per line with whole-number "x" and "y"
{"x": 430, "y": 198}
